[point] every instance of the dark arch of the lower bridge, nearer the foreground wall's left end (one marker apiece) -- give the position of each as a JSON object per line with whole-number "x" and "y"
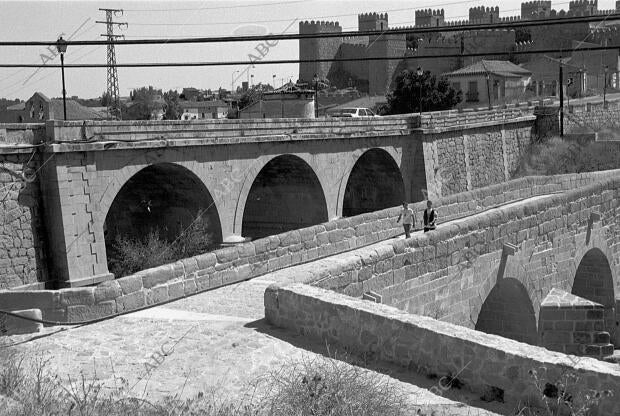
{"x": 508, "y": 311}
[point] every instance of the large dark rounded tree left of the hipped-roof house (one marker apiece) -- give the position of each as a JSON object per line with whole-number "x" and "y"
{"x": 435, "y": 94}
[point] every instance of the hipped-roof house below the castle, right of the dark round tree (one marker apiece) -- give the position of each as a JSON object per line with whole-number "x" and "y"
{"x": 494, "y": 80}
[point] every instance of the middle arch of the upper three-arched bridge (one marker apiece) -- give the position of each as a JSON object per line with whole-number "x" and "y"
{"x": 284, "y": 194}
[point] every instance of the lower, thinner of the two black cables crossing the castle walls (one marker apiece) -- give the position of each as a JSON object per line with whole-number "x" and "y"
{"x": 297, "y": 61}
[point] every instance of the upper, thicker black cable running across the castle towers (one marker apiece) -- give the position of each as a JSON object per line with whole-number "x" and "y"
{"x": 397, "y": 31}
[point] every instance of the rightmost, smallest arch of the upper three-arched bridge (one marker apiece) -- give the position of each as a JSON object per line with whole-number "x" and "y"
{"x": 374, "y": 182}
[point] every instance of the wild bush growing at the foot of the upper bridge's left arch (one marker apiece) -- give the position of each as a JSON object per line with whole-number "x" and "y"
{"x": 130, "y": 255}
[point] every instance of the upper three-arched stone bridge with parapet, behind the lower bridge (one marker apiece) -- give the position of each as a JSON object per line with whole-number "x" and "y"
{"x": 88, "y": 183}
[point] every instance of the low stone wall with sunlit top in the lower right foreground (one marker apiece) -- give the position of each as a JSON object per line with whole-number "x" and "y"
{"x": 486, "y": 364}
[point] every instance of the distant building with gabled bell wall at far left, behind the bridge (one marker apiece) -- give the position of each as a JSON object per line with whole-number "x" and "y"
{"x": 39, "y": 108}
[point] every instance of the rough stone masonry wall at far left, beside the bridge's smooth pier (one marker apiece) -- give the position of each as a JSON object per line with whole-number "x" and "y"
{"x": 22, "y": 254}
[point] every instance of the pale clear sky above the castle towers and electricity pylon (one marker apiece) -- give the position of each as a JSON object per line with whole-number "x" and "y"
{"x": 47, "y": 20}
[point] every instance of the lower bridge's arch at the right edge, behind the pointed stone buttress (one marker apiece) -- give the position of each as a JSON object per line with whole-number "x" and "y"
{"x": 594, "y": 281}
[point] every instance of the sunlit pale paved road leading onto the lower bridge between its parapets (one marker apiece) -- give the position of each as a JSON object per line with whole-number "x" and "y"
{"x": 215, "y": 342}
